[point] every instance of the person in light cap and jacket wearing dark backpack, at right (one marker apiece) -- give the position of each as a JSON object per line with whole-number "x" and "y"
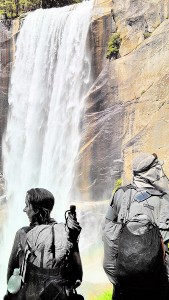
{"x": 136, "y": 234}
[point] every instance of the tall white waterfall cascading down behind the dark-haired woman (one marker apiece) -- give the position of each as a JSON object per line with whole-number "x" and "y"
{"x": 49, "y": 80}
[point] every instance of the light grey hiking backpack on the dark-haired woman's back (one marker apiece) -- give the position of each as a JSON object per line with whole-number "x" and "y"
{"x": 47, "y": 246}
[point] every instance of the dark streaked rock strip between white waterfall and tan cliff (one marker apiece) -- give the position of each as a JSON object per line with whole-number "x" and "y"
{"x": 100, "y": 153}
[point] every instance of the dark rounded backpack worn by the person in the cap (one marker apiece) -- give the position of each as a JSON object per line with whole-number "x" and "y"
{"x": 140, "y": 258}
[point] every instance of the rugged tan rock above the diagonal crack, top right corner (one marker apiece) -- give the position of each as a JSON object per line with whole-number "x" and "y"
{"x": 134, "y": 19}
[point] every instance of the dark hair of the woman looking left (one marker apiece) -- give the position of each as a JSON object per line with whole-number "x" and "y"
{"x": 42, "y": 202}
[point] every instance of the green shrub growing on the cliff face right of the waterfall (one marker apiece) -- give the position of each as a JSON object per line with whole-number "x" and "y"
{"x": 113, "y": 46}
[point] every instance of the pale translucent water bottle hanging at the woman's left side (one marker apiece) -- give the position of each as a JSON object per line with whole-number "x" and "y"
{"x": 14, "y": 282}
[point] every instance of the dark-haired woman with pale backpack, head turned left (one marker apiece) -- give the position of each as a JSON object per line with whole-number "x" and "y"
{"x": 45, "y": 260}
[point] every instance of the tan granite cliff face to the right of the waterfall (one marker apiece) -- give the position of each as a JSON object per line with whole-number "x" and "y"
{"x": 127, "y": 110}
